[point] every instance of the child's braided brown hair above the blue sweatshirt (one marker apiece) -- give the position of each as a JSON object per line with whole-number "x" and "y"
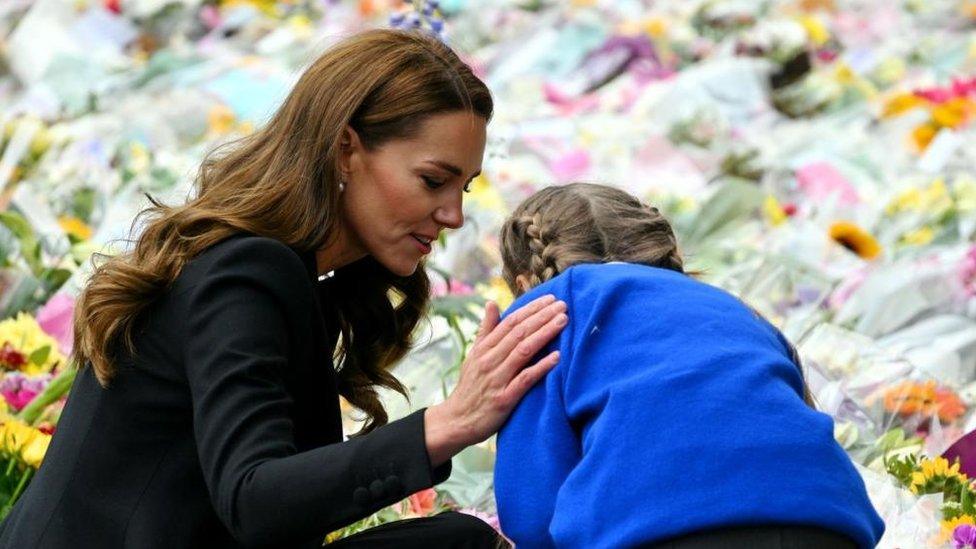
{"x": 562, "y": 226}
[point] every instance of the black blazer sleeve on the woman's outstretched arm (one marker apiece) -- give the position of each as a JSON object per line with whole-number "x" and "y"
{"x": 241, "y": 324}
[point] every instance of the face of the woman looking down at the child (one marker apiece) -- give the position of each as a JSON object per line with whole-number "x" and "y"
{"x": 399, "y": 196}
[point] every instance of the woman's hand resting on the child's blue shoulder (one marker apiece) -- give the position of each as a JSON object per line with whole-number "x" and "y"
{"x": 494, "y": 377}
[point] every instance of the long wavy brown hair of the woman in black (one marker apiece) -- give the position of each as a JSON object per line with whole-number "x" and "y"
{"x": 282, "y": 182}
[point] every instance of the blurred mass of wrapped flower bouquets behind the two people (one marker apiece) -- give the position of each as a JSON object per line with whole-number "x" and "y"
{"x": 815, "y": 156}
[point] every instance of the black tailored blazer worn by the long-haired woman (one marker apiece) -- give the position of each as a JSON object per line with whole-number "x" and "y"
{"x": 223, "y": 429}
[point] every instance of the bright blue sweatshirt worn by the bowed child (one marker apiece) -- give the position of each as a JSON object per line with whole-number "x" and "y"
{"x": 673, "y": 409}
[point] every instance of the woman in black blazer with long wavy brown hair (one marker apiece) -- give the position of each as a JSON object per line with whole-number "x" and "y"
{"x": 207, "y": 413}
